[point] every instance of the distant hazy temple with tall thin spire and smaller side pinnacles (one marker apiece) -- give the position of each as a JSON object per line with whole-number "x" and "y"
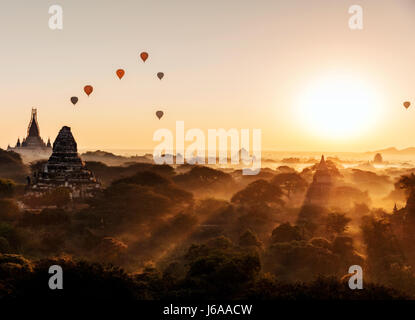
{"x": 33, "y": 145}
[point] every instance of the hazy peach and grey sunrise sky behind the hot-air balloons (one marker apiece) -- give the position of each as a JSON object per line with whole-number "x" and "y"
{"x": 227, "y": 63}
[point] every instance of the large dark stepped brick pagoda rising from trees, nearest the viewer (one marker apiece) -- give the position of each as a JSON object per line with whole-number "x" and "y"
{"x": 65, "y": 169}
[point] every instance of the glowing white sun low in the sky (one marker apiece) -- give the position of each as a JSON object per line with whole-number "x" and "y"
{"x": 338, "y": 106}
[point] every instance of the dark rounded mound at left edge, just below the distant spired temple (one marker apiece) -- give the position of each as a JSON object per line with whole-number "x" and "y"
{"x": 12, "y": 167}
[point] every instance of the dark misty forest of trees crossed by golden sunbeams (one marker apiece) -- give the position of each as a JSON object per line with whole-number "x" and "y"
{"x": 197, "y": 232}
